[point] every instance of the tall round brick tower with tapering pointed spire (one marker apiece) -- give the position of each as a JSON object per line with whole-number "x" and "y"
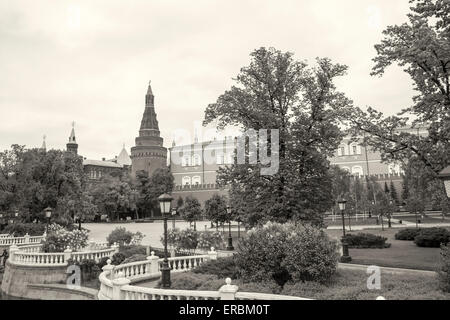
{"x": 148, "y": 154}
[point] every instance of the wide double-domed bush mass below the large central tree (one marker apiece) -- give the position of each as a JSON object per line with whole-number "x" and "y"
{"x": 280, "y": 253}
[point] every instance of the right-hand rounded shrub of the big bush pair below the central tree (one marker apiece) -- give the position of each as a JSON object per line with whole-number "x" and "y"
{"x": 310, "y": 255}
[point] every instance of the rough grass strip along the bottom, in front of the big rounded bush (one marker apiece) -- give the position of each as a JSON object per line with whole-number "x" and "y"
{"x": 345, "y": 285}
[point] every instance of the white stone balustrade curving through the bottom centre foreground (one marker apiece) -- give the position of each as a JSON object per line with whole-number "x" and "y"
{"x": 115, "y": 282}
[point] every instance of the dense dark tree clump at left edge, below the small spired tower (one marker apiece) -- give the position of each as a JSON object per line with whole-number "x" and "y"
{"x": 31, "y": 180}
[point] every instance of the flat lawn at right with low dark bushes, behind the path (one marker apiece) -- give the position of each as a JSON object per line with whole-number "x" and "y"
{"x": 401, "y": 254}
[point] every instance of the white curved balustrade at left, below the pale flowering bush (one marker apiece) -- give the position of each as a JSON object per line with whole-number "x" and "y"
{"x": 31, "y": 255}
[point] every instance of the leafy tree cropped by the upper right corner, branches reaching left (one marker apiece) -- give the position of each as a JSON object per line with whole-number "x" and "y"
{"x": 422, "y": 48}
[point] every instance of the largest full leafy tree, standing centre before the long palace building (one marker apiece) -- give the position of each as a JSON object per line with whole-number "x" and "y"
{"x": 277, "y": 92}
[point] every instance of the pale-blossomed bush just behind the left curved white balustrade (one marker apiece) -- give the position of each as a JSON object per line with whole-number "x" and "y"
{"x": 58, "y": 239}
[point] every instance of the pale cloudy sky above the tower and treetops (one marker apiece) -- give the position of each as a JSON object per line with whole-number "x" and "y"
{"x": 90, "y": 61}
